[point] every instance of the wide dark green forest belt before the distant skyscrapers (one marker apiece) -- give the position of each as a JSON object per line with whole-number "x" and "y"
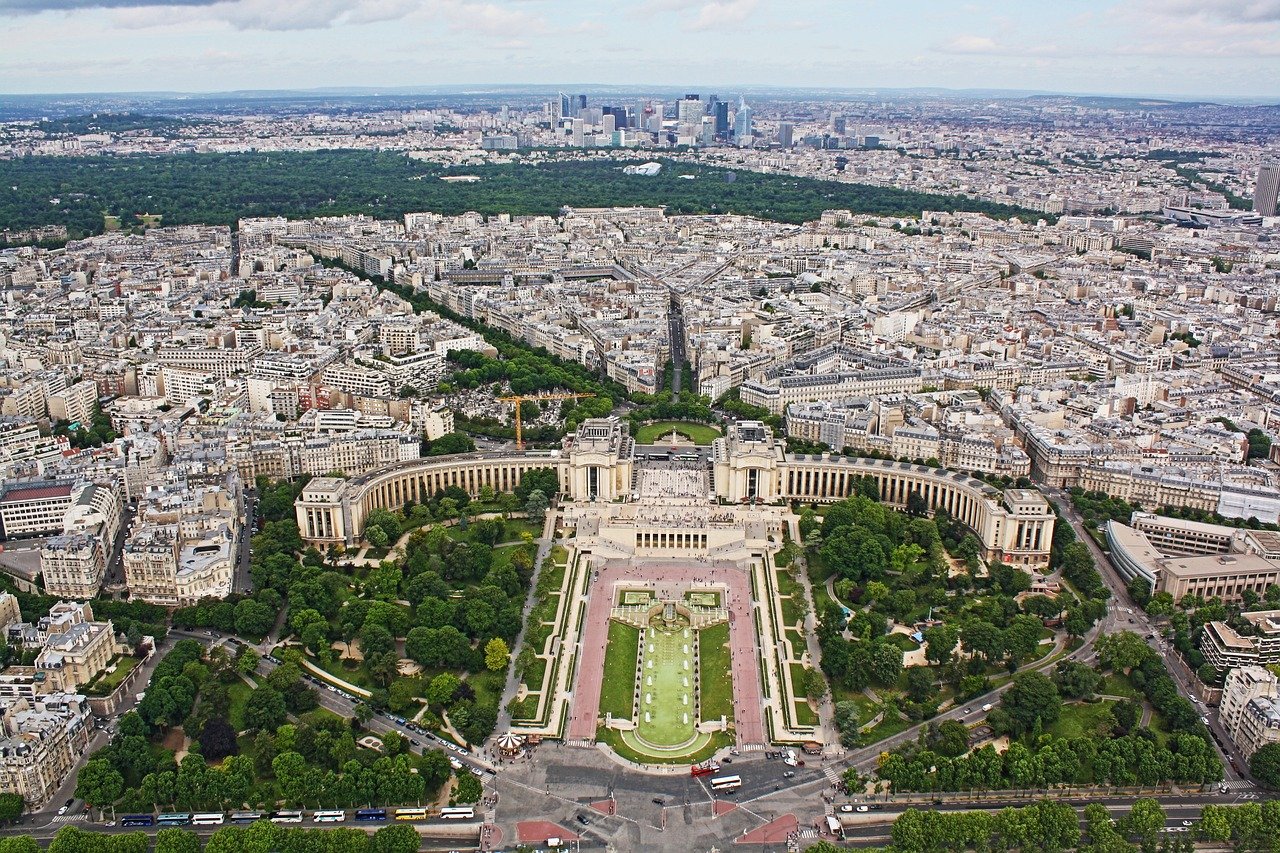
{"x": 220, "y": 189}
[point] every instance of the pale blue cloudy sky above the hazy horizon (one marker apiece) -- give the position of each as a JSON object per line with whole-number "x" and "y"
{"x": 1172, "y": 48}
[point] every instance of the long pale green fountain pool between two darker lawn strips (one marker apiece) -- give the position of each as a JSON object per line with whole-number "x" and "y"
{"x": 666, "y": 717}
